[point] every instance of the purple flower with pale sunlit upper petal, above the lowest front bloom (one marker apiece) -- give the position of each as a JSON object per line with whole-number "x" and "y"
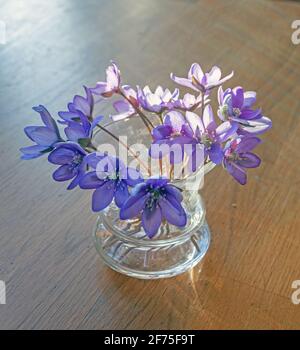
{"x": 175, "y": 131}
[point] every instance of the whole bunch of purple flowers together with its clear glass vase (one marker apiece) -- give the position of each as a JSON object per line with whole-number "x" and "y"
{"x": 145, "y": 207}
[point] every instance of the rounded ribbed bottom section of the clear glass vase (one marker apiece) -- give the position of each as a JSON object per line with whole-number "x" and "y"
{"x": 152, "y": 261}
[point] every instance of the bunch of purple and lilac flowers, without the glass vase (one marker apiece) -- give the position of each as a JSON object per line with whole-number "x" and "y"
{"x": 182, "y": 129}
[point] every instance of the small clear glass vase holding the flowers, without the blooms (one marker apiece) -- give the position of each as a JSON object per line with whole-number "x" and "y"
{"x": 124, "y": 245}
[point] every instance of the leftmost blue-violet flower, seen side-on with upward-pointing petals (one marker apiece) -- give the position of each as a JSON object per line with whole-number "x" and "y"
{"x": 45, "y": 137}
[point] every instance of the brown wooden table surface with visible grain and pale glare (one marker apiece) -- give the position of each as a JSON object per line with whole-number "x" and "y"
{"x": 54, "y": 278}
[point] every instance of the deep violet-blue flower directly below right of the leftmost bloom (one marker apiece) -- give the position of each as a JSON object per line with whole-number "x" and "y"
{"x": 70, "y": 157}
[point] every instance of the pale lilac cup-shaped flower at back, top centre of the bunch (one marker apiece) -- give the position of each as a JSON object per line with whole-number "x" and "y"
{"x": 157, "y": 101}
